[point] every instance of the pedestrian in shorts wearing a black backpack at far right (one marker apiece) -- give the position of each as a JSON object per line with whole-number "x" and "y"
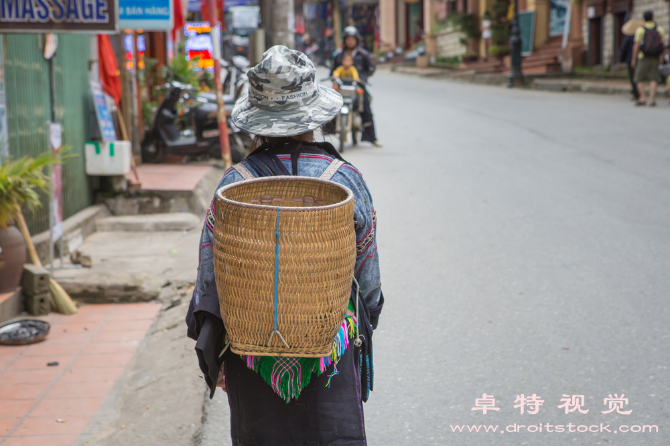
{"x": 649, "y": 46}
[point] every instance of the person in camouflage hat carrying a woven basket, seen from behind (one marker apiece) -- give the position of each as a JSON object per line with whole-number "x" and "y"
{"x": 289, "y": 343}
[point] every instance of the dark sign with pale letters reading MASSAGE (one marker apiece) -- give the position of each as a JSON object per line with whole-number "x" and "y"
{"x": 43, "y": 16}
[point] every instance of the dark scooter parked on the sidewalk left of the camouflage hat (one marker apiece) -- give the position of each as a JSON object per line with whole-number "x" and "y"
{"x": 167, "y": 138}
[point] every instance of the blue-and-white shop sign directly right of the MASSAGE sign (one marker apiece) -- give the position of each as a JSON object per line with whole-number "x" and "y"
{"x": 147, "y": 15}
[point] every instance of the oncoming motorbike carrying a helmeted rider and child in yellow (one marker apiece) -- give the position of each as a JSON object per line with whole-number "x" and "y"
{"x": 349, "y": 119}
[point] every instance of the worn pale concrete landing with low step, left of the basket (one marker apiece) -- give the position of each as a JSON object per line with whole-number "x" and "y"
{"x": 134, "y": 265}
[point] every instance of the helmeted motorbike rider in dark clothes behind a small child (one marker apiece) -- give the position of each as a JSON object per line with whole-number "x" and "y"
{"x": 365, "y": 67}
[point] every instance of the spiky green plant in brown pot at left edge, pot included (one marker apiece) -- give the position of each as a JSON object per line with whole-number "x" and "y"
{"x": 19, "y": 181}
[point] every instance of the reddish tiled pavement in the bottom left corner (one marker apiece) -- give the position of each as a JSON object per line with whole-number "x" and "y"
{"x": 41, "y": 405}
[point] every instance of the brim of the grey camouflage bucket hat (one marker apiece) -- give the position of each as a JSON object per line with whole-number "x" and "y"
{"x": 277, "y": 122}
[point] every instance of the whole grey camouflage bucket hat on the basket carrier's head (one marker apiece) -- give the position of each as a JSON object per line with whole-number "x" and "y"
{"x": 284, "y": 98}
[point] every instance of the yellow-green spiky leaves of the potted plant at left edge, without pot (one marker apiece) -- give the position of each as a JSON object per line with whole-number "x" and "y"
{"x": 20, "y": 180}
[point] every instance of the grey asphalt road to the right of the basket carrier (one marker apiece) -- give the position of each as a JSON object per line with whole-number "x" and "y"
{"x": 525, "y": 248}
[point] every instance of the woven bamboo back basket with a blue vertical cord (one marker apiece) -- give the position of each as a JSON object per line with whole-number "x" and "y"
{"x": 314, "y": 261}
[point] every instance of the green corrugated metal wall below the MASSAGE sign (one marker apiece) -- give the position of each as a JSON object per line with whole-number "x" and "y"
{"x": 29, "y": 109}
